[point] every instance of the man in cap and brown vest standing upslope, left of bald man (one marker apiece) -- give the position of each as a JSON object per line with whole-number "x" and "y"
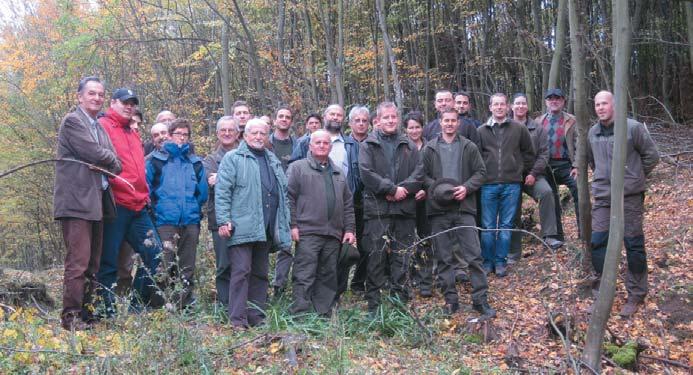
{"x": 562, "y": 169}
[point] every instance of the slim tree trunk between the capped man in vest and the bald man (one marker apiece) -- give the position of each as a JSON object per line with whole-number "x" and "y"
{"x": 577, "y": 55}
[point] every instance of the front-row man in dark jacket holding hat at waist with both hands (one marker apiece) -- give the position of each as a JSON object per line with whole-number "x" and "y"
{"x": 453, "y": 170}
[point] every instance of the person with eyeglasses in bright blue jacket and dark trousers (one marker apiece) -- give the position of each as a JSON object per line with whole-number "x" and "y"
{"x": 178, "y": 190}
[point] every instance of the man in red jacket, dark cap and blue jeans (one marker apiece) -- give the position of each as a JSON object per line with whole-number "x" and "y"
{"x": 132, "y": 223}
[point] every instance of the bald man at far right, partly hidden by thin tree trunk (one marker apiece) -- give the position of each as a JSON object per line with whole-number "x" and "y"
{"x": 641, "y": 158}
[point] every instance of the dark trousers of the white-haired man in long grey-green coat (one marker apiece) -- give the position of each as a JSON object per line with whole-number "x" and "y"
{"x": 249, "y": 282}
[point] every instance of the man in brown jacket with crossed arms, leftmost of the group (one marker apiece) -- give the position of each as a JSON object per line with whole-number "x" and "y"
{"x": 82, "y": 199}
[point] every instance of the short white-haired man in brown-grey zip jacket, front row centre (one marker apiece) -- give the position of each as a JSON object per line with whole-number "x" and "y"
{"x": 322, "y": 218}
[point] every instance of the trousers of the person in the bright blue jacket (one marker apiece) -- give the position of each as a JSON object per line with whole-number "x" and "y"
{"x": 180, "y": 251}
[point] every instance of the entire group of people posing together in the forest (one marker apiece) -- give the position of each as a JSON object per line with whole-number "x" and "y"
{"x": 401, "y": 202}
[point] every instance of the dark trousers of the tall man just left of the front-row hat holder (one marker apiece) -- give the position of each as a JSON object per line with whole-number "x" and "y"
{"x": 388, "y": 241}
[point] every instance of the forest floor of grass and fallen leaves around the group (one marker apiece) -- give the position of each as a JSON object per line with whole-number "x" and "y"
{"x": 416, "y": 339}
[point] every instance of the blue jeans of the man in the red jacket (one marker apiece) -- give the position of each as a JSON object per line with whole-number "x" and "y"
{"x": 138, "y": 230}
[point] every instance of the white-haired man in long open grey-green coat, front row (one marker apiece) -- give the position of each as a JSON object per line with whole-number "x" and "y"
{"x": 253, "y": 214}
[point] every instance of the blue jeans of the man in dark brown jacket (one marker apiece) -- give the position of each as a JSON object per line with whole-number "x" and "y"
{"x": 498, "y": 207}
